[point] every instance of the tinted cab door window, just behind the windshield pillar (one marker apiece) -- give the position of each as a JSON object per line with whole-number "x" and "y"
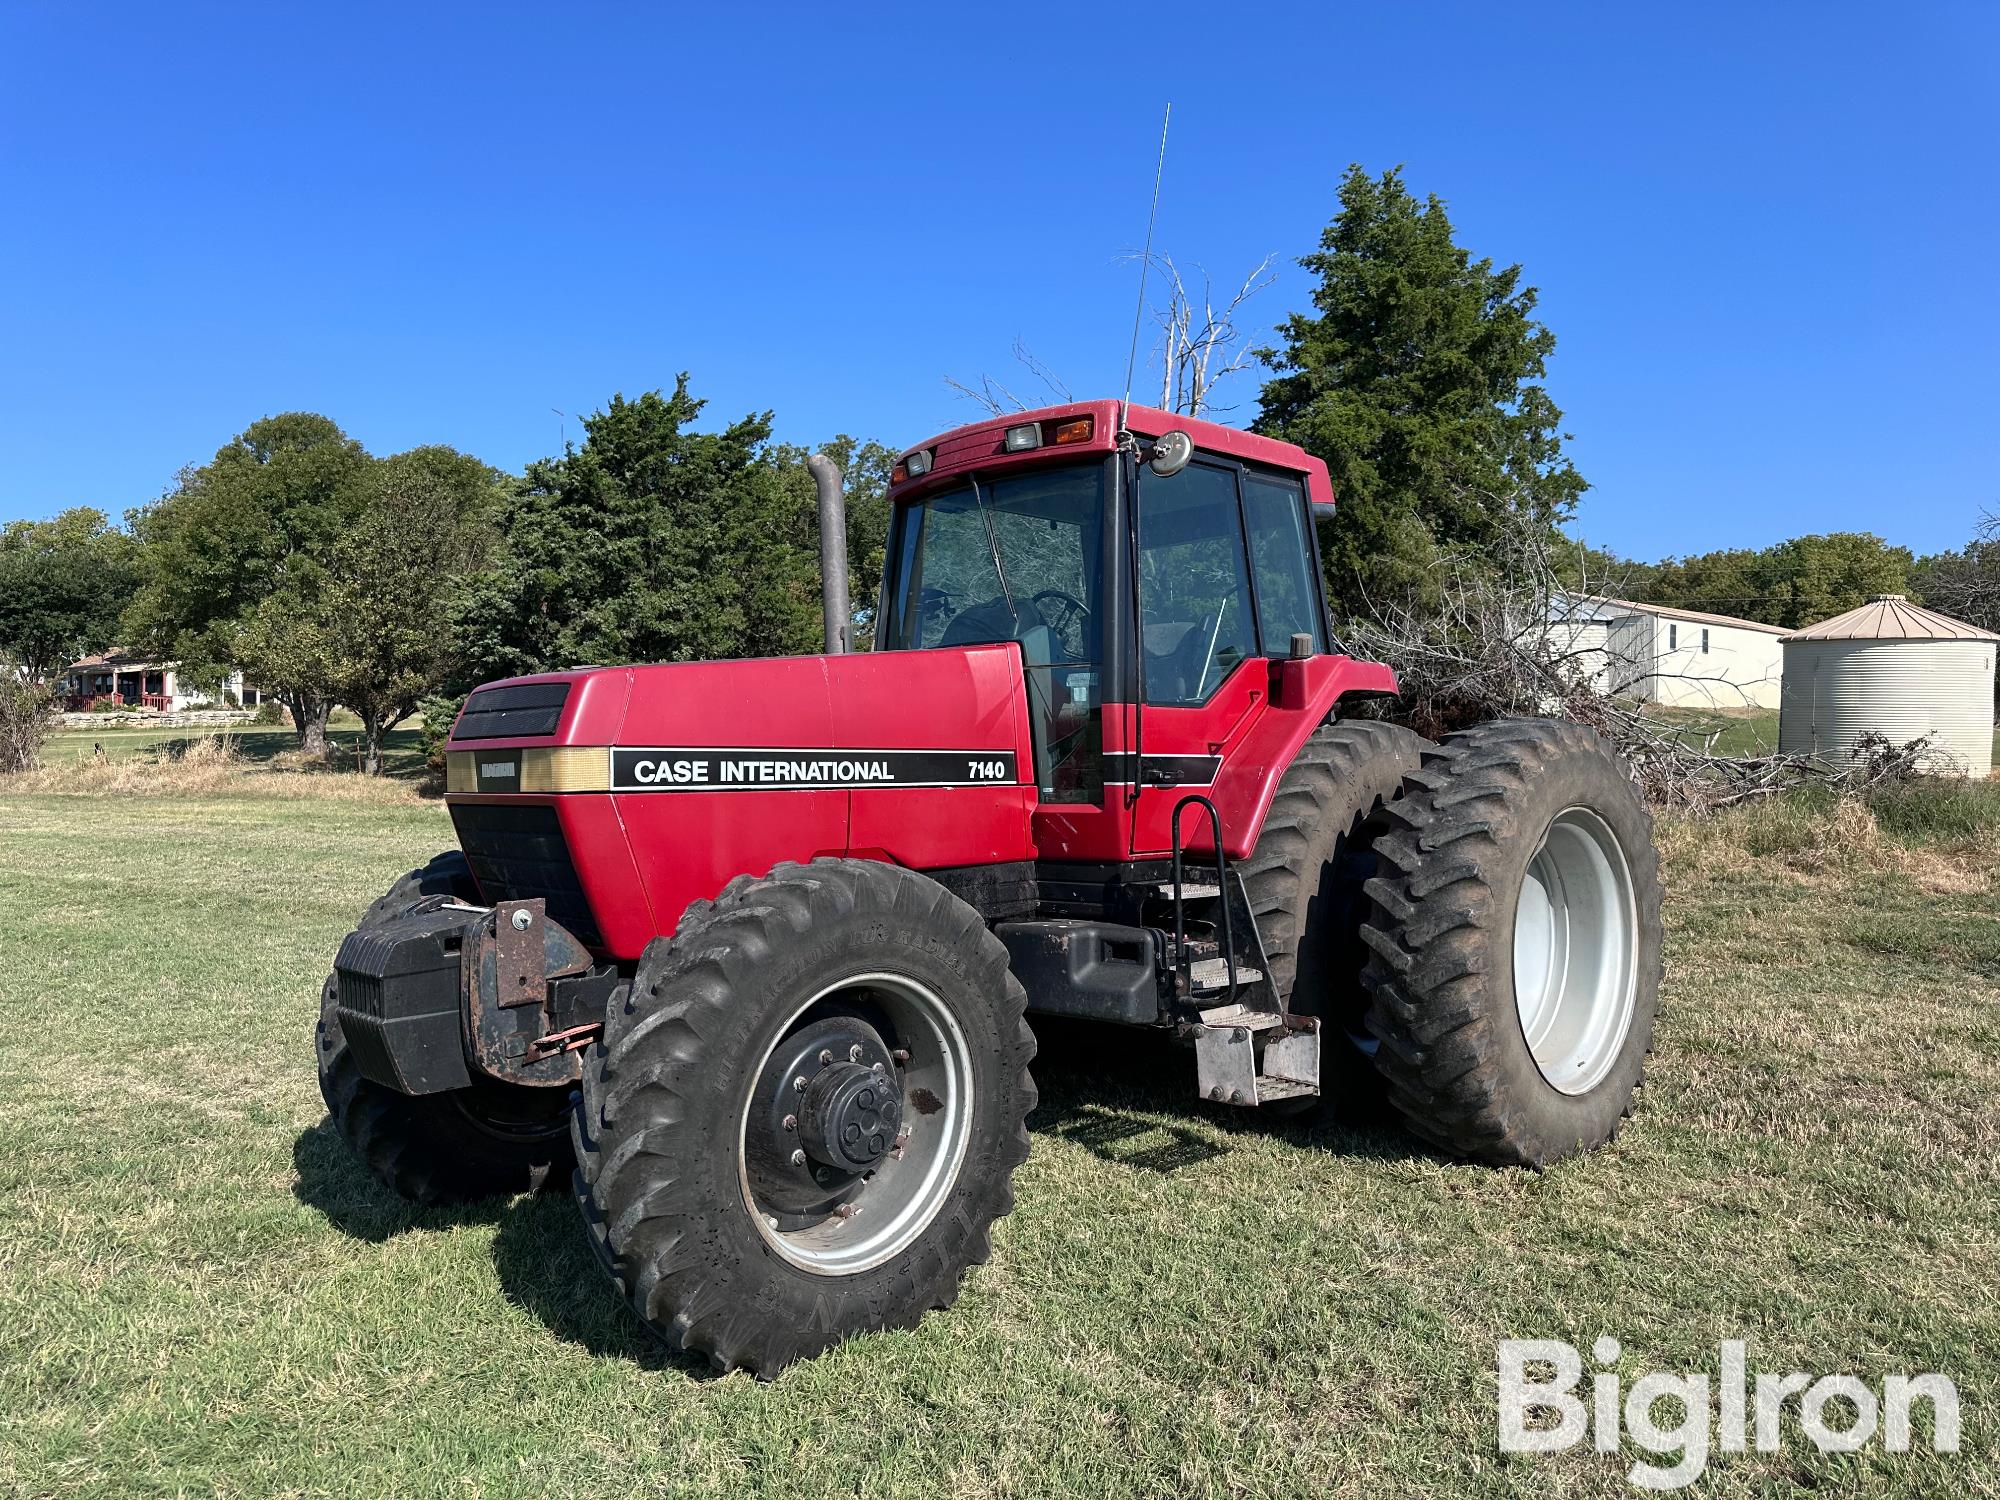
{"x": 1193, "y": 583}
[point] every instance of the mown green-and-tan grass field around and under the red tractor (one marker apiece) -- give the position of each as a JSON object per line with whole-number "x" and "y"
{"x": 201, "y": 1291}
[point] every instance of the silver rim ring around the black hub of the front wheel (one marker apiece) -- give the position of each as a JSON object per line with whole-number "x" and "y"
{"x": 903, "y": 1195}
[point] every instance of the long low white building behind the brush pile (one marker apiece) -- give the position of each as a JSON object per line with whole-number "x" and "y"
{"x": 1681, "y": 659}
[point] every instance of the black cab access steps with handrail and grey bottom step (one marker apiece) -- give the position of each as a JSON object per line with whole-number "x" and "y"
{"x": 1247, "y": 1049}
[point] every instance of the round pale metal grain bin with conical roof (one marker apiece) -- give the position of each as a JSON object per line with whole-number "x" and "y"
{"x": 1897, "y": 671}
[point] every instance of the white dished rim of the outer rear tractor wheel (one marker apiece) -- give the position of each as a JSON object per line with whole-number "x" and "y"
{"x": 1577, "y": 953}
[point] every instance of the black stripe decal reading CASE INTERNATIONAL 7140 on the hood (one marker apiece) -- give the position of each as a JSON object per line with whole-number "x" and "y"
{"x": 667, "y": 769}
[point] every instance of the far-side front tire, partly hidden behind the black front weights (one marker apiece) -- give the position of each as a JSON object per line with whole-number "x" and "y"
{"x": 439, "y": 1149}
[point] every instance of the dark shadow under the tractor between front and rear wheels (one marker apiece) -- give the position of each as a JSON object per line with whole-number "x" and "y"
{"x": 1109, "y": 1087}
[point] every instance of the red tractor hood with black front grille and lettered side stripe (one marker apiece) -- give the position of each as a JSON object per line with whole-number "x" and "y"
{"x": 623, "y": 795}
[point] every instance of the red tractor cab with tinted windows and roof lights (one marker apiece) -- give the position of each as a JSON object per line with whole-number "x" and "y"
{"x": 1163, "y": 585}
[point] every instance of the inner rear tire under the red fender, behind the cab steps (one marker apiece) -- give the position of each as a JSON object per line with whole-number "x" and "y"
{"x": 1305, "y": 883}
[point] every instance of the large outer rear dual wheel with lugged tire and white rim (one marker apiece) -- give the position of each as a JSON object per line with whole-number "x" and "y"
{"x": 1443, "y": 971}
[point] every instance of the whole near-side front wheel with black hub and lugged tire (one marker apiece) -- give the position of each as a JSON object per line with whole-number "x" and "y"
{"x": 807, "y": 1115}
